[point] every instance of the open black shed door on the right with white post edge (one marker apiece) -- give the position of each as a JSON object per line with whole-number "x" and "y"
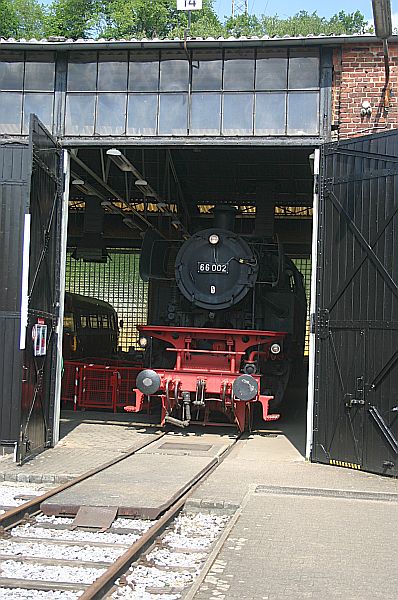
{"x": 361, "y": 410}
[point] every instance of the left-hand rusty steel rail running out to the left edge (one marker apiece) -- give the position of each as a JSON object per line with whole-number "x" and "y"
{"x": 15, "y": 515}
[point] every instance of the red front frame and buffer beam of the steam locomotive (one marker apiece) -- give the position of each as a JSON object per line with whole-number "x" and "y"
{"x": 208, "y": 373}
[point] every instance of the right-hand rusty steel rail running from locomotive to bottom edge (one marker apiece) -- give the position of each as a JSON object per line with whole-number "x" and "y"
{"x": 105, "y": 582}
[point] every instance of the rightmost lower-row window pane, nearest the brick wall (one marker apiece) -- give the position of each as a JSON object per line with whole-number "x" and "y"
{"x": 303, "y": 113}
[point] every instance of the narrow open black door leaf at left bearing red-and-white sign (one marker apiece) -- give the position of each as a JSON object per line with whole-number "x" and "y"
{"x": 43, "y": 377}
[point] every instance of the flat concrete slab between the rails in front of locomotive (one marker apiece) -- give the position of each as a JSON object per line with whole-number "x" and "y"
{"x": 147, "y": 483}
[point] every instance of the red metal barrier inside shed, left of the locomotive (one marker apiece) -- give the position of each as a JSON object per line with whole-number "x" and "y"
{"x": 93, "y": 385}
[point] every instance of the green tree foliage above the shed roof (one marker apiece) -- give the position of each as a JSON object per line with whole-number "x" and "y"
{"x": 158, "y": 18}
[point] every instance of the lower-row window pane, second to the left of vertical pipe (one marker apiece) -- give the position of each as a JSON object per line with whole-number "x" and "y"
{"x": 141, "y": 114}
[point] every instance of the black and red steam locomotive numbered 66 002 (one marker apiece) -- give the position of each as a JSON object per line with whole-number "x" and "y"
{"x": 227, "y": 316}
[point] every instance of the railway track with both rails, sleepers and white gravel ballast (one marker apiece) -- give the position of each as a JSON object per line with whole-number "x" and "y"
{"x": 43, "y": 557}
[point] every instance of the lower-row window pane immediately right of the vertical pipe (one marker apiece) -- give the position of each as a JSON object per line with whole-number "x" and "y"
{"x": 205, "y": 114}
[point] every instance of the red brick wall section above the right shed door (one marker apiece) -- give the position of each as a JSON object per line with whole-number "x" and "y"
{"x": 359, "y": 76}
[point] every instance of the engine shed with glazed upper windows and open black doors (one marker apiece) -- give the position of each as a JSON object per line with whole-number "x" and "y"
{"x": 109, "y": 147}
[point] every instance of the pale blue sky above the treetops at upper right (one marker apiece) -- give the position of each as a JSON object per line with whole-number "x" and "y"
{"x": 285, "y": 8}
